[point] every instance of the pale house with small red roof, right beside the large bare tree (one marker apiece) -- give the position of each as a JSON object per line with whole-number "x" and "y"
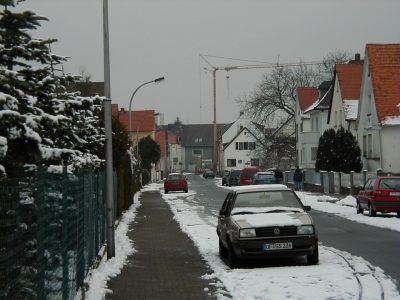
{"x": 311, "y": 121}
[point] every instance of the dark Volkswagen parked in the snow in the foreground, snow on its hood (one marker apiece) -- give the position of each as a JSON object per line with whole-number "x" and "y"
{"x": 265, "y": 221}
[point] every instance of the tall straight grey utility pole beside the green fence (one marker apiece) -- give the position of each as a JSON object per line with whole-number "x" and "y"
{"x": 108, "y": 137}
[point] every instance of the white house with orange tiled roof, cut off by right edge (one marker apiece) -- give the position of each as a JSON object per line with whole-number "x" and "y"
{"x": 378, "y": 122}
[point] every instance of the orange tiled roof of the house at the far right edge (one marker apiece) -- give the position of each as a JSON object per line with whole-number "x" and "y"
{"x": 384, "y": 67}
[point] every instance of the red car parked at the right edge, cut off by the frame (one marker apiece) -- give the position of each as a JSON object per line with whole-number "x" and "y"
{"x": 381, "y": 194}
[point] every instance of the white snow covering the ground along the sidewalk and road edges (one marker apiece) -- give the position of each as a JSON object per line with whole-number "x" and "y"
{"x": 338, "y": 275}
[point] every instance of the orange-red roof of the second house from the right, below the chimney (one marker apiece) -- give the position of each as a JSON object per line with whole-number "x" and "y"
{"x": 349, "y": 76}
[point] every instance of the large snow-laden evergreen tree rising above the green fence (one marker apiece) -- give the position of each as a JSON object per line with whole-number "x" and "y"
{"x": 39, "y": 122}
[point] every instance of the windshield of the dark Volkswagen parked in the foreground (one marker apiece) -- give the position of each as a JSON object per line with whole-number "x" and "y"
{"x": 266, "y": 201}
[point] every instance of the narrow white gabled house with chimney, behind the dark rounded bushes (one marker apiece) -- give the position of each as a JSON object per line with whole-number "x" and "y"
{"x": 343, "y": 106}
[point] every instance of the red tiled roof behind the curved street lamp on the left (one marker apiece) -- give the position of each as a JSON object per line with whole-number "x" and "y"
{"x": 138, "y": 116}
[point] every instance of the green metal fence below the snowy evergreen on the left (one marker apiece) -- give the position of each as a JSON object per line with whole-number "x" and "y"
{"x": 51, "y": 229}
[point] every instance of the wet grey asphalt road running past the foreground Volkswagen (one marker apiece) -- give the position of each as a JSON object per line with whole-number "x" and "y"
{"x": 379, "y": 246}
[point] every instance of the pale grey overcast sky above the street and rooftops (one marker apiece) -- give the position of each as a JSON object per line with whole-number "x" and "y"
{"x": 155, "y": 38}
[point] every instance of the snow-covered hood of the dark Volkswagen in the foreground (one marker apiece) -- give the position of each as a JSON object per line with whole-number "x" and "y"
{"x": 272, "y": 219}
